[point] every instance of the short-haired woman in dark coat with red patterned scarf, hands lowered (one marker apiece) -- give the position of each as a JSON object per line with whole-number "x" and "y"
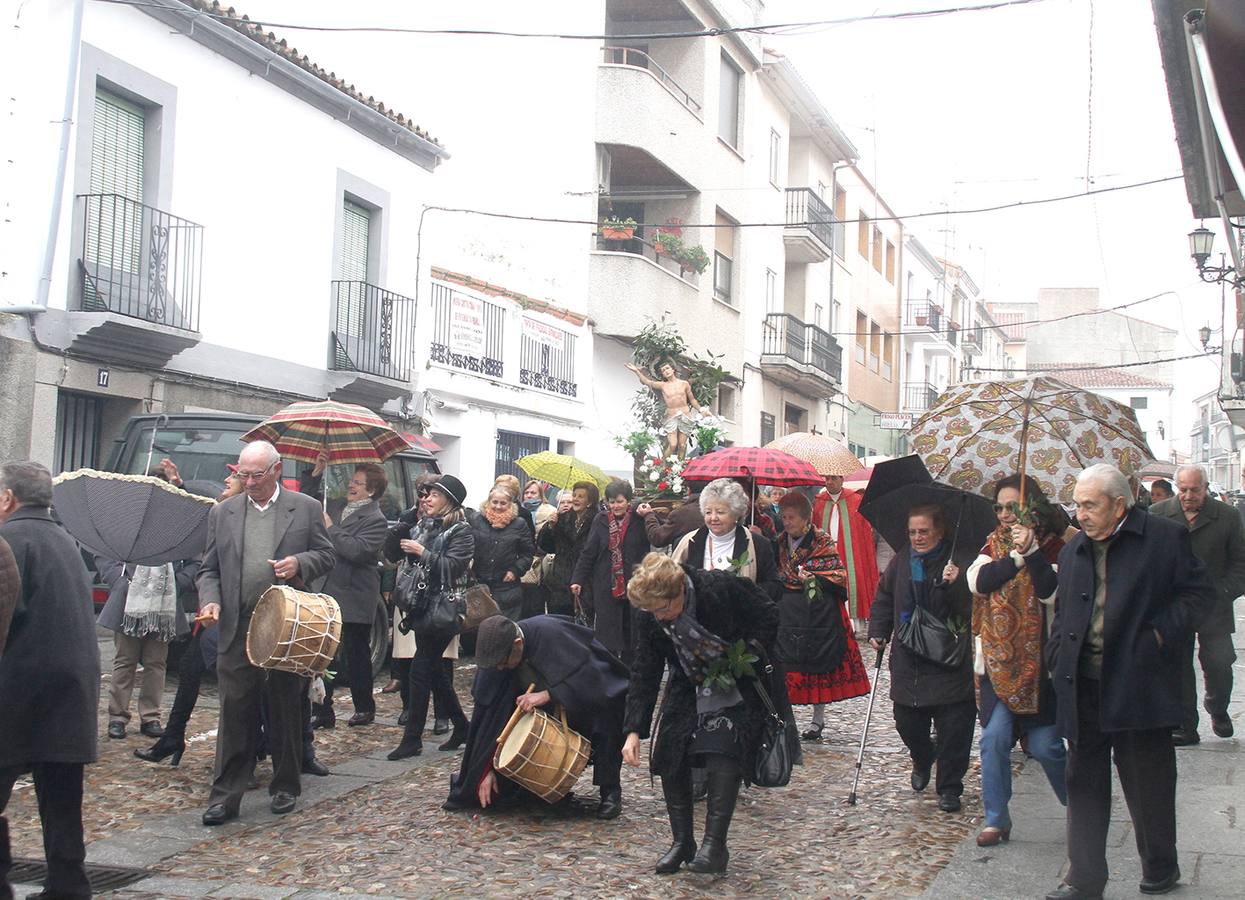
{"x": 617, "y": 542}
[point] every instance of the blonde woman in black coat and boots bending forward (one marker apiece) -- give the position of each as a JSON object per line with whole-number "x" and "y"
{"x": 689, "y": 618}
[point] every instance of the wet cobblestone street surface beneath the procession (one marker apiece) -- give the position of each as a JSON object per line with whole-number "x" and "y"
{"x": 378, "y": 828}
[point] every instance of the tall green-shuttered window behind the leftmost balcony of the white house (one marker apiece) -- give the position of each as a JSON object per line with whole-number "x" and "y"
{"x": 115, "y": 220}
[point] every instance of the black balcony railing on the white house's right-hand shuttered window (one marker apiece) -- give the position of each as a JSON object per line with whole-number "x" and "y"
{"x": 373, "y": 330}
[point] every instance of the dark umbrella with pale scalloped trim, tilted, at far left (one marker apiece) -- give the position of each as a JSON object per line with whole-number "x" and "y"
{"x": 131, "y": 518}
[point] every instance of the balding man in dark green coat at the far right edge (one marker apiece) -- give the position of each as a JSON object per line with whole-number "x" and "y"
{"x": 1219, "y": 542}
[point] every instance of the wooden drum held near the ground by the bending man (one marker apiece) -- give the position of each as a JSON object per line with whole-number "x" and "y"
{"x": 542, "y": 754}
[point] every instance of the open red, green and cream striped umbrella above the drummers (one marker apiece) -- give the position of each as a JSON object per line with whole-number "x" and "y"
{"x": 348, "y": 434}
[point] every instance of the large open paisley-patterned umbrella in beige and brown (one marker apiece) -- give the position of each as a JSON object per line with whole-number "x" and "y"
{"x": 980, "y": 433}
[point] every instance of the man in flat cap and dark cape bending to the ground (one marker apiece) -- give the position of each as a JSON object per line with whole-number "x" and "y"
{"x": 570, "y": 669}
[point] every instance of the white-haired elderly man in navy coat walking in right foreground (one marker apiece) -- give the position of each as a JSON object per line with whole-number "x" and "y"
{"x": 1131, "y": 592}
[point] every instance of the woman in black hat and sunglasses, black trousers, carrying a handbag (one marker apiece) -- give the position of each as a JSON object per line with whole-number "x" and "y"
{"x": 435, "y": 535}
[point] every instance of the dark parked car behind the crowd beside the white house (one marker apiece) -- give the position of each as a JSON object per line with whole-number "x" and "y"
{"x": 201, "y": 444}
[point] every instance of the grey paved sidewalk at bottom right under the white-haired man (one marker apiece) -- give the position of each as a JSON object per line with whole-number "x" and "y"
{"x": 1211, "y": 799}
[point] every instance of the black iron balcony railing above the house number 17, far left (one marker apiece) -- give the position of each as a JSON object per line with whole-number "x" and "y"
{"x": 140, "y": 262}
